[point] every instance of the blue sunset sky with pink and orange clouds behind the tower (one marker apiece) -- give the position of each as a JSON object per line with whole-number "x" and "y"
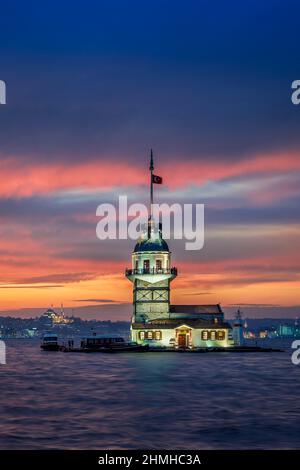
{"x": 91, "y": 87}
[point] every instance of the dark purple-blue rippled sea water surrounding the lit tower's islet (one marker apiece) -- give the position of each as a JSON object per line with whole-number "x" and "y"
{"x": 55, "y": 400}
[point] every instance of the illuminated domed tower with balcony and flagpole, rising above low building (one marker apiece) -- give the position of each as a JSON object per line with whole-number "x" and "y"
{"x": 151, "y": 271}
